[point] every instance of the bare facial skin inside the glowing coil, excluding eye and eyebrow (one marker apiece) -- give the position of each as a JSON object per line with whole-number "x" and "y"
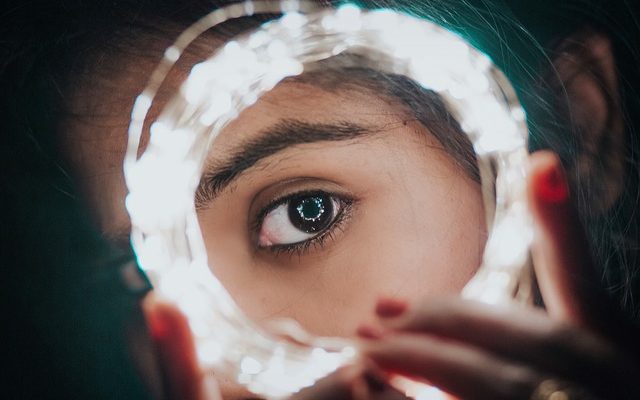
{"x": 415, "y": 212}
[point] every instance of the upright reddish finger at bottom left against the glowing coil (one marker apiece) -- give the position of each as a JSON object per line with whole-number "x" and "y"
{"x": 170, "y": 332}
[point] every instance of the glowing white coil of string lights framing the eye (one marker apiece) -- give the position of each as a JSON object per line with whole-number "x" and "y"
{"x": 162, "y": 181}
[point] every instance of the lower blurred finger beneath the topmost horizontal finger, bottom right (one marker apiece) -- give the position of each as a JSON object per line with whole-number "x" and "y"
{"x": 456, "y": 368}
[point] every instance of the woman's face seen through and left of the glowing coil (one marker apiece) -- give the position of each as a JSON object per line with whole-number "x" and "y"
{"x": 336, "y": 197}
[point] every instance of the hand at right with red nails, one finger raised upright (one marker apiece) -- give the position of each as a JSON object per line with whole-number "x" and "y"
{"x": 475, "y": 351}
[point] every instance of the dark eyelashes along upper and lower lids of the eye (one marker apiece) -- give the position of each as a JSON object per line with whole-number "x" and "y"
{"x": 316, "y": 242}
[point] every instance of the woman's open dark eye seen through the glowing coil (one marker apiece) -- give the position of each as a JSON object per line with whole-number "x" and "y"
{"x": 299, "y": 221}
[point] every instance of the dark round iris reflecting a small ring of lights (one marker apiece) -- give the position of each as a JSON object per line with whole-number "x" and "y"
{"x": 311, "y": 213}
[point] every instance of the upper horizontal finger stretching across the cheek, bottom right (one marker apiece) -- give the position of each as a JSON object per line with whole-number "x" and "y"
{"x": 526, "y": 336}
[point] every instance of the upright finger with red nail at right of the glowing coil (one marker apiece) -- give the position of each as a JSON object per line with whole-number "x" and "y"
{"x": 566, "y": 274}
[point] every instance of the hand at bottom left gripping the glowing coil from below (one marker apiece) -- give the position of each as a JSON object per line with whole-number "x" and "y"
{"x": 182, "y": 379}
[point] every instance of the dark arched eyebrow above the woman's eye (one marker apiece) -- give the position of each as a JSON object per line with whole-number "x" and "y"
{"x": 276, "y": 138}
